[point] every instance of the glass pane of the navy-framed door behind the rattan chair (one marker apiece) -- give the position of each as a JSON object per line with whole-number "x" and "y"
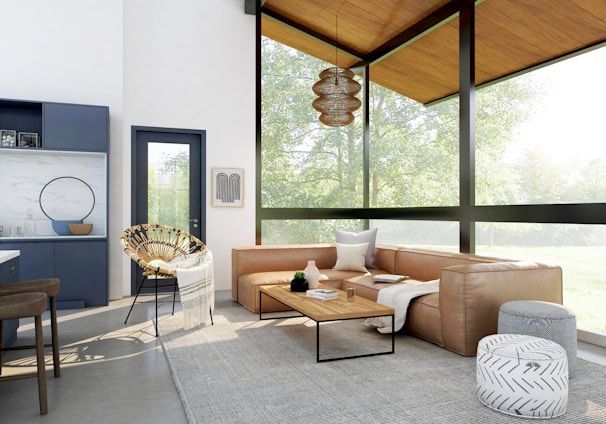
{"x": 168, "y": 184}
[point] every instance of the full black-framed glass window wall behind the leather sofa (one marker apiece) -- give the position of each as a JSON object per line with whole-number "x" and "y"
{"x": 538, "y": 138}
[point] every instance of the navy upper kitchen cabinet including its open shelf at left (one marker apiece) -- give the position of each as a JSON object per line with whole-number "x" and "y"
{"x": 55, "y": 126}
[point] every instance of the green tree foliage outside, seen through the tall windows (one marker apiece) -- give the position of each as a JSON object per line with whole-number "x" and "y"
{"x": 413, "y": 152}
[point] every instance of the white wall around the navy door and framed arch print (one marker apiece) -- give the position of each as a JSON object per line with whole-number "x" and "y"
{"x": 178, "y": 64}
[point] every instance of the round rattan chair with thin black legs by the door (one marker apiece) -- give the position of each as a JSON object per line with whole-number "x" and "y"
{"x": 146, "y": 243}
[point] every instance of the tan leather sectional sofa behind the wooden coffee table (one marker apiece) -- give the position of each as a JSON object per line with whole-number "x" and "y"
{"x": 465, "y": 309}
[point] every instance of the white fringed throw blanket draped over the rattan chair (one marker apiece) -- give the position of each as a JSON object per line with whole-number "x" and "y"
{"x": 197, "y": 291}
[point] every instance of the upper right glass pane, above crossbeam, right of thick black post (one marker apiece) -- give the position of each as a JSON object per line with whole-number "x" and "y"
{"x": 540, "y": 136}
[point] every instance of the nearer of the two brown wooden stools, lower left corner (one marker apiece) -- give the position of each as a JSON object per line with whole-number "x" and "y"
{"x": 25, "y": 305}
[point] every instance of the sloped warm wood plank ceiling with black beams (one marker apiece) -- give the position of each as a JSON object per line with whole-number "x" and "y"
{"x": 412, "y": 45}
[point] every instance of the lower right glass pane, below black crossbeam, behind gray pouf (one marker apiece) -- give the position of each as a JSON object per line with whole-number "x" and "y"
{"x": 578, "y": 249}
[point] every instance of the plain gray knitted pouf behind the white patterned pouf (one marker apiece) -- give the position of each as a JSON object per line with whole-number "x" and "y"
{"x": 542, "y": 319}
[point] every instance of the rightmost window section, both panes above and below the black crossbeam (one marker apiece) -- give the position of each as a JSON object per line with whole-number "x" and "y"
{"x": 545, "y": 145}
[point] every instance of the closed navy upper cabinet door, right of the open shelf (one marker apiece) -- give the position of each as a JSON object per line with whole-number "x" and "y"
{"x": 75, "y": 127}
